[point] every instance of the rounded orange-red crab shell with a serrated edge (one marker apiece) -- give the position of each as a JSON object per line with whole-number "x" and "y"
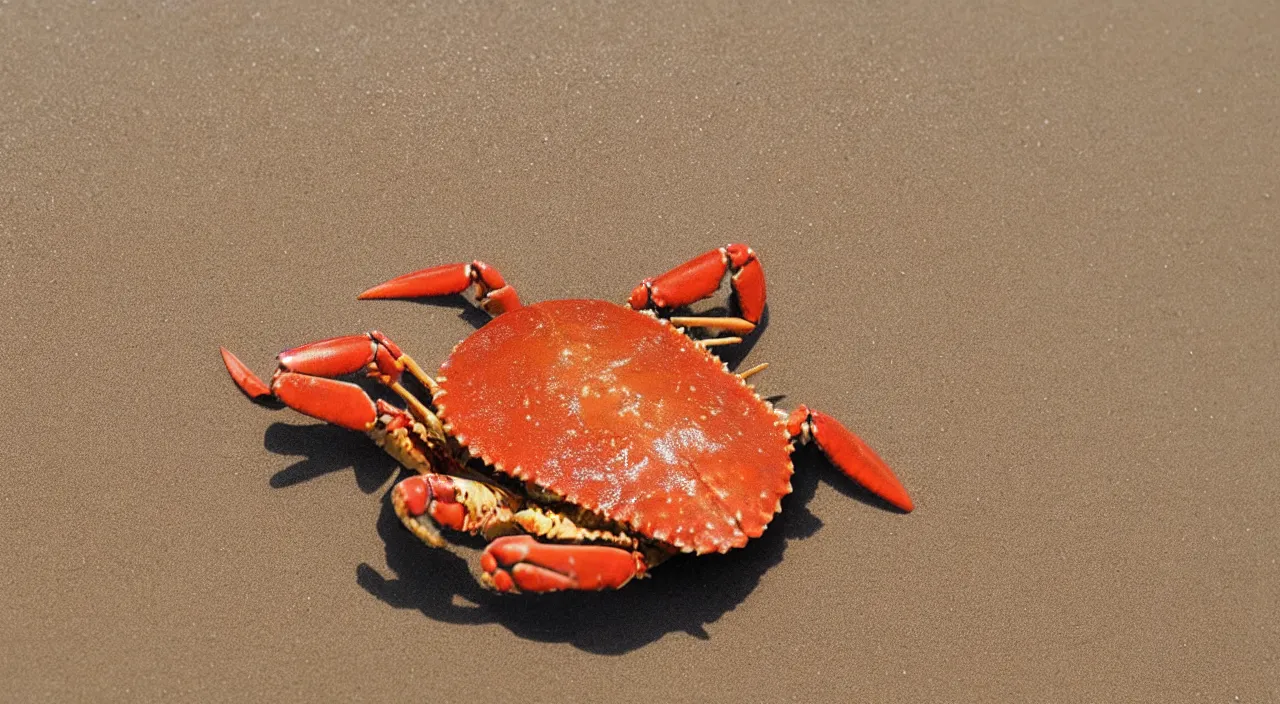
{"x": 624, "y": 415}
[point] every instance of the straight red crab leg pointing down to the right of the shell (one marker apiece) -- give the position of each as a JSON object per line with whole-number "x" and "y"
{"x": 849, "y": 454}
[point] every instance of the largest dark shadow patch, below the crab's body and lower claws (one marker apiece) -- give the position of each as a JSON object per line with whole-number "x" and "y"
{"x": 683, "y": 596}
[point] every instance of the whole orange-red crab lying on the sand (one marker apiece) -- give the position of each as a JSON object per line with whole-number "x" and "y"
{"x": 586, "y": 441}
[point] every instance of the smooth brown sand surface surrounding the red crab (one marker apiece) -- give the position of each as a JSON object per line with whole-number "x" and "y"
{"x": 1031, "y": 255}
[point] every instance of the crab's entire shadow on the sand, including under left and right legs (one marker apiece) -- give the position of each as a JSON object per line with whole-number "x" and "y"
{"x": 683, "y": 596}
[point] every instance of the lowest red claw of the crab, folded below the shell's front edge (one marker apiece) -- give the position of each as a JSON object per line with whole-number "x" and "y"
{"x": 522, "y": 564}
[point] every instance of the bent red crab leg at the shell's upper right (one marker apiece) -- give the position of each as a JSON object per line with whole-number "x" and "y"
{"x": 700, "y": 277}
